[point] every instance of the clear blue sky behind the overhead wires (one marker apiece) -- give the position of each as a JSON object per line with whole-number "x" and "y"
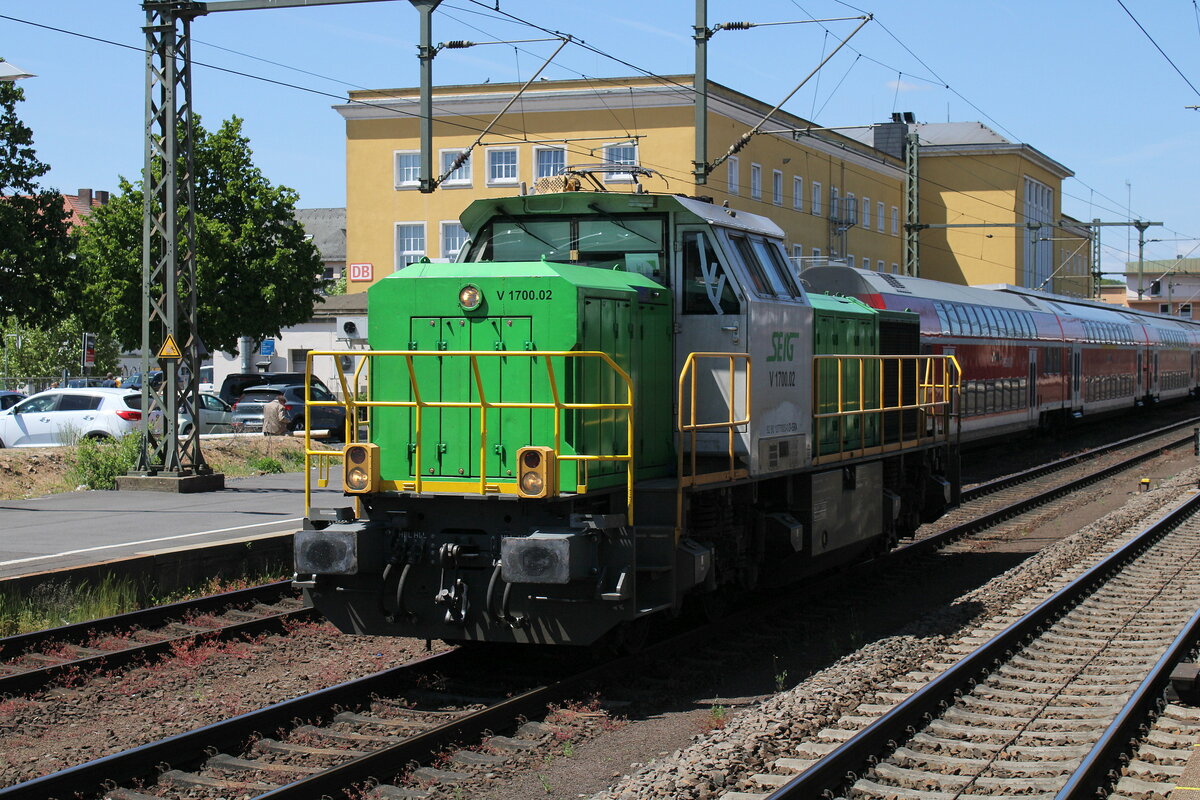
{"x": 1073, "y": 79}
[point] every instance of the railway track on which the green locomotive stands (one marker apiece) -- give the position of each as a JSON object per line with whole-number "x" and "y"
{"x": 410, "y": 714}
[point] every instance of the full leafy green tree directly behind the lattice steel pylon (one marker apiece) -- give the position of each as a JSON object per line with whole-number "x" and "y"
{"x": 256, "y": 272}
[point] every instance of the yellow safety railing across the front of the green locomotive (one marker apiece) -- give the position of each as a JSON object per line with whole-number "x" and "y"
{"x": 352, "y": 405}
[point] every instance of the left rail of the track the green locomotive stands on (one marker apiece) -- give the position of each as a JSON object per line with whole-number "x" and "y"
{"x": 190, "y": 748}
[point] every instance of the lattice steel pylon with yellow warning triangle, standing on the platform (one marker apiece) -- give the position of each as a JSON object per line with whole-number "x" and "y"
{"x": 169, "y": 248}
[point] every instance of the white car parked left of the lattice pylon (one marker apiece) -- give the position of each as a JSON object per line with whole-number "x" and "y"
{"x": 64, "y": 416}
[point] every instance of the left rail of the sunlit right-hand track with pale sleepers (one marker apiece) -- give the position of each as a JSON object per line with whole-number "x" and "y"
{"x": 845, "y": 765}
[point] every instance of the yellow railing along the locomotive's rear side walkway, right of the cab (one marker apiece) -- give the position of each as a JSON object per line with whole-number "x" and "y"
{"x": 928, "y": 389}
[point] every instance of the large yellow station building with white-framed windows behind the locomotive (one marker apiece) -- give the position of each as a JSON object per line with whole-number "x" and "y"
{"x": 837, "y": 197}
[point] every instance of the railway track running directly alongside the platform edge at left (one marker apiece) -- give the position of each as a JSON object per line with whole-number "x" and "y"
{"x": 33, "y": 661}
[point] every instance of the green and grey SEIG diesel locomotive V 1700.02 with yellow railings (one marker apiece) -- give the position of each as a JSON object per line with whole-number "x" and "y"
{"x": 610, "y": 406}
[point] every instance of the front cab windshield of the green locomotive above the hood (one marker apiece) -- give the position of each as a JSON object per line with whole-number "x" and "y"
{"x": 610, "y": 242}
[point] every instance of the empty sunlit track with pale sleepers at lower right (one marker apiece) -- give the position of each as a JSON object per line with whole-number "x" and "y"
{"x": 1063, "y": 687}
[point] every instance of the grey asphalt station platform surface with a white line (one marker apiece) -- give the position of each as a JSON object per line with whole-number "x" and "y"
{"x": 74, "y": 530}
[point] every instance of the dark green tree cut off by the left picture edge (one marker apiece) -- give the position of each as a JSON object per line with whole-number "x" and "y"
{"x": 37, "y": 280}
